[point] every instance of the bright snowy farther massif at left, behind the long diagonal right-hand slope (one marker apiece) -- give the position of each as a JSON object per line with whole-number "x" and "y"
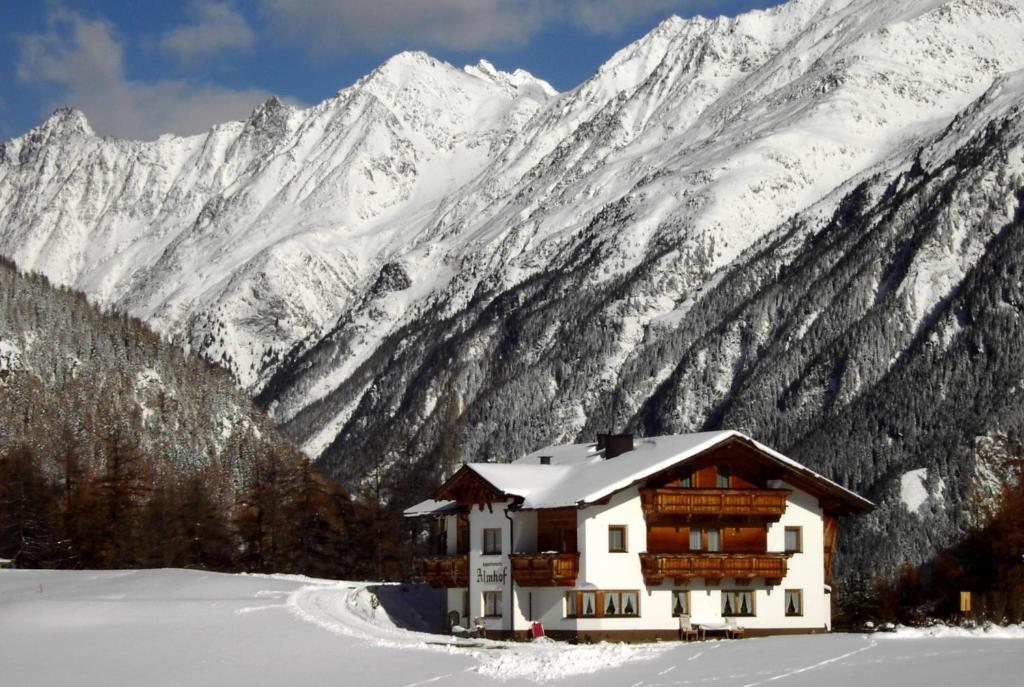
{"x": 249, "y": 239}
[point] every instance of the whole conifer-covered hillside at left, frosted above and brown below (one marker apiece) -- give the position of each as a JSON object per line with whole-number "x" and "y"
{"x": 118, "y": 450}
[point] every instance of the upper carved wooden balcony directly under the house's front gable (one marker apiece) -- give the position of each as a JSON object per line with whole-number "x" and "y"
{"x": 687, "y": 505}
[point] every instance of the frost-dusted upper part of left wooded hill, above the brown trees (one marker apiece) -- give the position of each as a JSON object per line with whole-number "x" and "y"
{"x": 75, "y": 378}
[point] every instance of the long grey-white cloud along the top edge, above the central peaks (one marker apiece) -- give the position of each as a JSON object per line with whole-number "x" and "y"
{"x": 349, "y": 26}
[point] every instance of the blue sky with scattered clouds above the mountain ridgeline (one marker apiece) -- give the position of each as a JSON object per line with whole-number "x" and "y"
{"x": 140, "y": 68}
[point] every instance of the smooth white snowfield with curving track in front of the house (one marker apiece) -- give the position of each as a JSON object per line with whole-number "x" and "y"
{"x": 189, "y": 628}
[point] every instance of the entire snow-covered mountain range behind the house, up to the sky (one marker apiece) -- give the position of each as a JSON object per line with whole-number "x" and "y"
{"x": 760, "y": 222}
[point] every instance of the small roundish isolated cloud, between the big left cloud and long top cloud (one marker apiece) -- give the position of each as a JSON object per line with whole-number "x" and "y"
{"x": 218, "y": 28}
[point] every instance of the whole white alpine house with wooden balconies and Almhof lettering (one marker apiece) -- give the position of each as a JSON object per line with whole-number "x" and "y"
{"x": 621, "y": 539}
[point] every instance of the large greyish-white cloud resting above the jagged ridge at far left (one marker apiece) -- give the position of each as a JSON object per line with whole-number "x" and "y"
{"x": 86, "y": 62}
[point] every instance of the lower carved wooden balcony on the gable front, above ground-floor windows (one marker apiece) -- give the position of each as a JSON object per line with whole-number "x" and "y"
{"x": 681, "y": 568}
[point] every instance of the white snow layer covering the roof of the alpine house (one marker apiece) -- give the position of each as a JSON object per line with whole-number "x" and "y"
{"x": 579, "y": 475}
